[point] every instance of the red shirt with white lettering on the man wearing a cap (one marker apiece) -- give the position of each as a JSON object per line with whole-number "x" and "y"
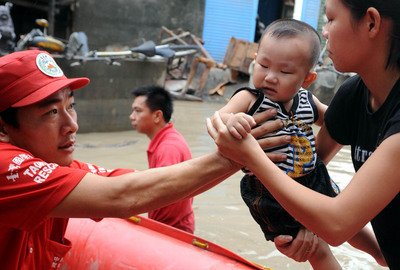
{"x": 30, "y": 189}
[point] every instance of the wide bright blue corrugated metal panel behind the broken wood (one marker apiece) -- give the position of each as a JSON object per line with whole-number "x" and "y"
{"x": 224, "y": 19}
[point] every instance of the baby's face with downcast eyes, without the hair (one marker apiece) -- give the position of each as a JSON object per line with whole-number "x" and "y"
{"x": 281, "y": 66}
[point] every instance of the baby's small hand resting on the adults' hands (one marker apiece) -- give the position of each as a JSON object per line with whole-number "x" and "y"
{"x": 240, "y": 124}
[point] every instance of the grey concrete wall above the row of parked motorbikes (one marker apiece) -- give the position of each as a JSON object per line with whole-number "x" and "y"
{"x": 130, "y": 22}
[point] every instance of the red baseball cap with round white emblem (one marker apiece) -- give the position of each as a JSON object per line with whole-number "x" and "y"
{"x": 29, "y": 76}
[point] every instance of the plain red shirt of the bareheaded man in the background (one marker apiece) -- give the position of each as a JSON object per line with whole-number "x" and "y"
{"x": 168, "y": 147}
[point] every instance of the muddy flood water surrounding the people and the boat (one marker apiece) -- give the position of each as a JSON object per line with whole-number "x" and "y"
{"x": 220, "y": 214}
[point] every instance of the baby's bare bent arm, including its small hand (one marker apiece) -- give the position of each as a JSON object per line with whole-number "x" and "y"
{"x": 233, "y": 114}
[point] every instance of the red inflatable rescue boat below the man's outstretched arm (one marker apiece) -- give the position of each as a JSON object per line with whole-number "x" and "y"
{"x": 142, "y": 243}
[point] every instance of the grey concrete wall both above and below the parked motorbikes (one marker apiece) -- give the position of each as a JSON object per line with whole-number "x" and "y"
{"x": 106, "y": 103}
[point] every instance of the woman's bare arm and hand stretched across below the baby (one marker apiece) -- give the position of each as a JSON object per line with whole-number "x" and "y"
{"x": 333, "y": 219}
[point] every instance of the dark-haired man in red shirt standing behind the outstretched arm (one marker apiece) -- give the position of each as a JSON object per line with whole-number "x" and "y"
{"x": 151, "y": 114}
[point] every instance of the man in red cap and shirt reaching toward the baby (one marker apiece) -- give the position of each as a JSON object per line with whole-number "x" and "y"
{"x": 41, "y": 185}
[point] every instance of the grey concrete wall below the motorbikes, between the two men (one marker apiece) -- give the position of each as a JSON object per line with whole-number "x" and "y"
{"x": 105, "y": 104}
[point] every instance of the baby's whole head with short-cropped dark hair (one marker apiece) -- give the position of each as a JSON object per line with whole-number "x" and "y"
{"x": 285, "y": 60}
